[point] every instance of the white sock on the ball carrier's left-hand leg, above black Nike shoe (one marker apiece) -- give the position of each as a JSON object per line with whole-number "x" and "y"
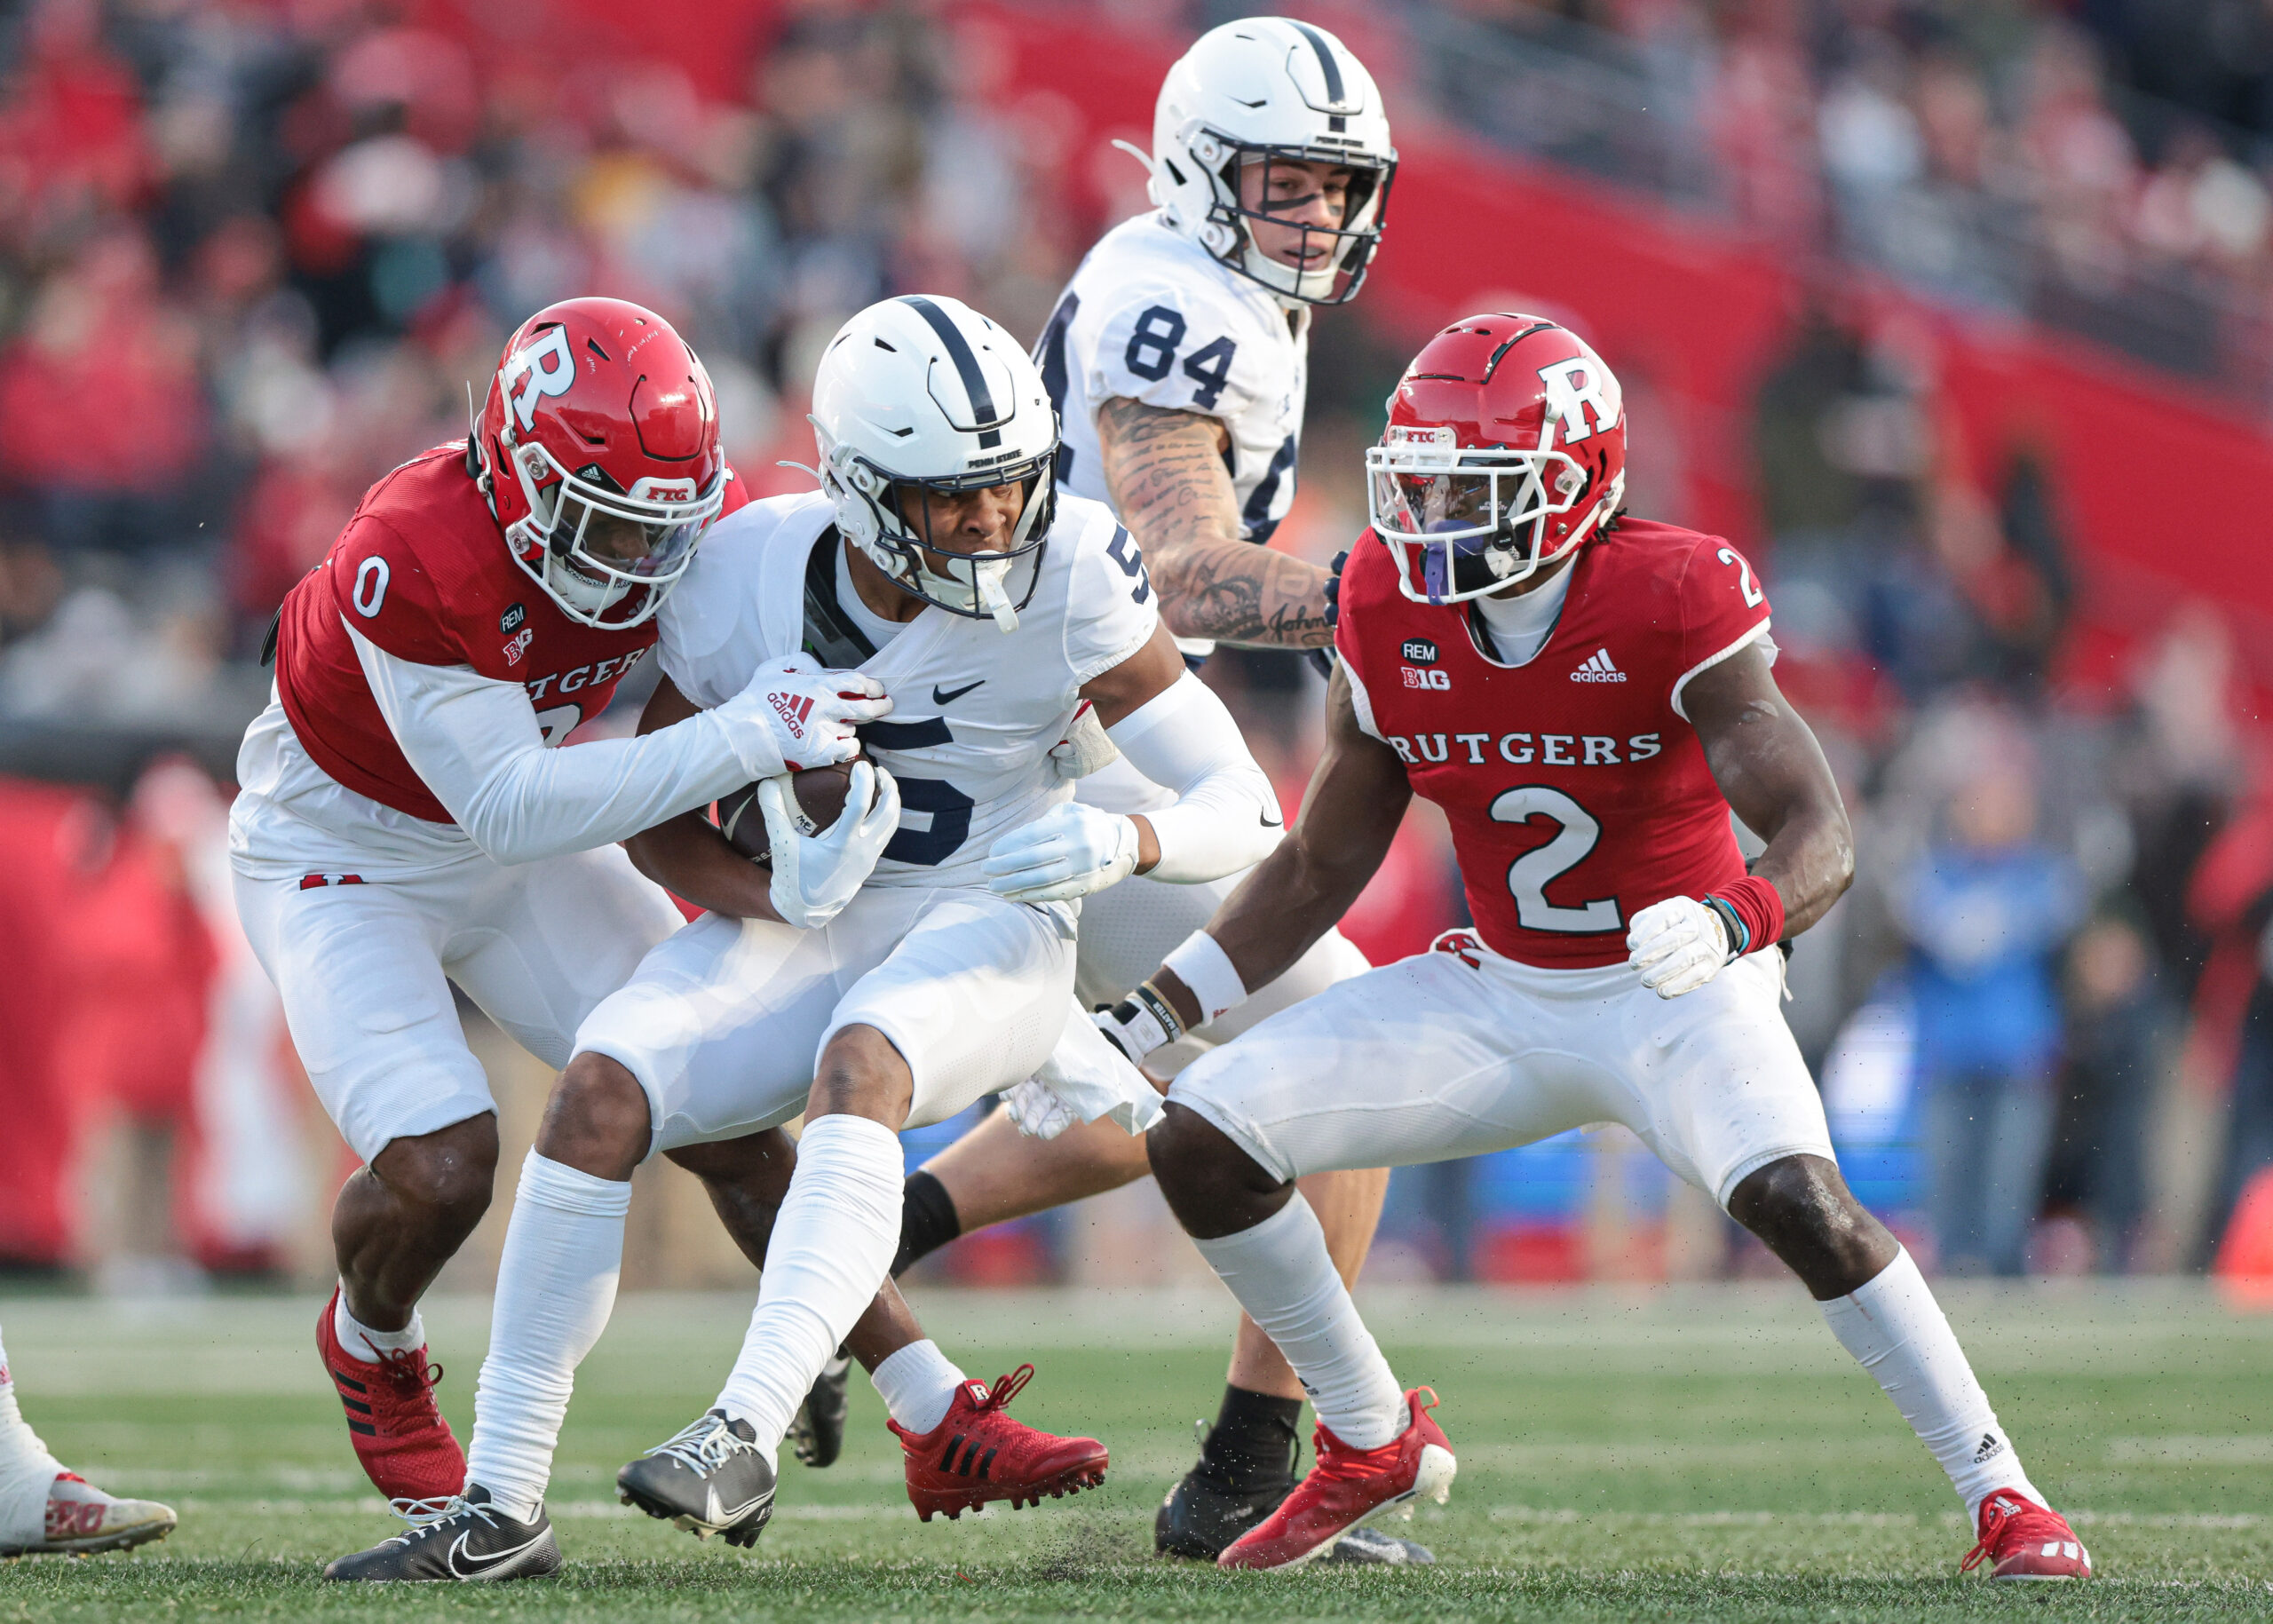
{"x": 556, "y": 1289}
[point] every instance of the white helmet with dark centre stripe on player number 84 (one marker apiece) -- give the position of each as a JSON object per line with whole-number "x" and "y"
{"x": 1263, "y": 90}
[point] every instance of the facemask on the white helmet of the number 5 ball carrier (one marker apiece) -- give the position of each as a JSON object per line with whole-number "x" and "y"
{"x": 883, "y": 513}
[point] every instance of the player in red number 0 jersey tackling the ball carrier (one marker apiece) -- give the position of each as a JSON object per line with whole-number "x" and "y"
{"x": 403, "y": 822}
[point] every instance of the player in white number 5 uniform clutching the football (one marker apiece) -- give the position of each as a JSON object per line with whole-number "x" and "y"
{"x": 890, "y": 970}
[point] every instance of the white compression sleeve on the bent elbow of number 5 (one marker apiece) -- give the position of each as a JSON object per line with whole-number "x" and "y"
{"x": 1226, "y": 815}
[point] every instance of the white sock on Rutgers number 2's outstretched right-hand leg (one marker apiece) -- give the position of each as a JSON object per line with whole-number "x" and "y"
{"x": 1899, "y": 1334}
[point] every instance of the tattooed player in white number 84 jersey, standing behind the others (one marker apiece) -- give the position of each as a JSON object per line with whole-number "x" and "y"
{"x": 1179, "y": 363}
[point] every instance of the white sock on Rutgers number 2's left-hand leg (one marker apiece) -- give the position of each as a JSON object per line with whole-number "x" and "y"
{"x": 1285, "y": 1279}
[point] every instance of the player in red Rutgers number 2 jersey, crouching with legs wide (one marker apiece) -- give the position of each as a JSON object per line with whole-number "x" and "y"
{"x": 1588, "y": 697}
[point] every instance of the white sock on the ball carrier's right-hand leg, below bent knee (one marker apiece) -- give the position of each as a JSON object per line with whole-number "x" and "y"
{"x": 831, "y": 1252}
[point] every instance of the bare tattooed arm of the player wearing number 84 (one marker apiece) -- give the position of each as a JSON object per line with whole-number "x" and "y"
{"x": 1169, "y": 486}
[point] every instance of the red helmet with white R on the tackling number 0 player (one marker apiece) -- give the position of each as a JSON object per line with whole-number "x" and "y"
{"x": 599, "y": 449}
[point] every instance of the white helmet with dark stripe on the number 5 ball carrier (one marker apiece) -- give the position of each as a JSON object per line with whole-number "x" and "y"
{"x": 922, "y": 392}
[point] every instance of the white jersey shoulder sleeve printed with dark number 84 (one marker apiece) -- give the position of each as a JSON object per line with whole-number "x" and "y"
{"x": 1179, "y": 349}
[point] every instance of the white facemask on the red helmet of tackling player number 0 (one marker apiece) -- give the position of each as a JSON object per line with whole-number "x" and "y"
{"x": 594, "y": 545}
